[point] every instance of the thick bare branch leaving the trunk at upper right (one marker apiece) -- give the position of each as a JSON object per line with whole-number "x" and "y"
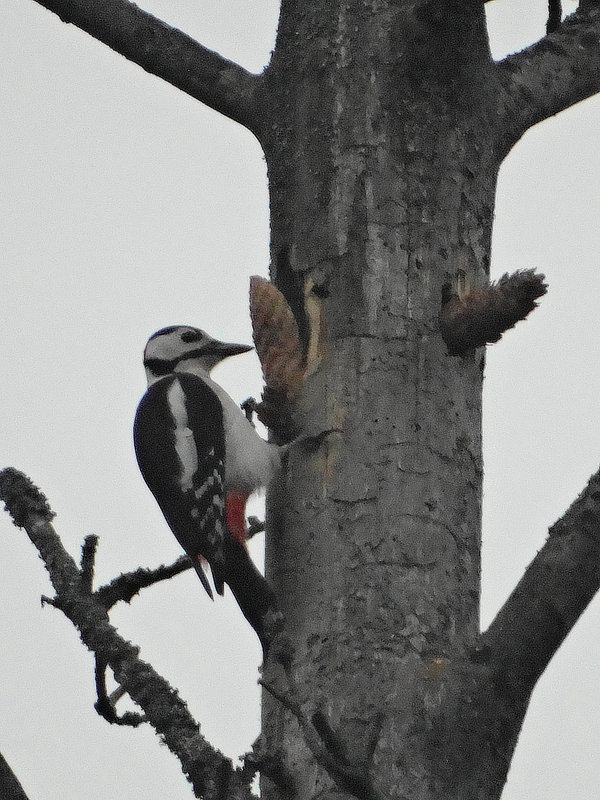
{"x": 551, "y": 75}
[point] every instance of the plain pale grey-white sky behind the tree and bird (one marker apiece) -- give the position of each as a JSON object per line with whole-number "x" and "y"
{"x": 126, "y": 206}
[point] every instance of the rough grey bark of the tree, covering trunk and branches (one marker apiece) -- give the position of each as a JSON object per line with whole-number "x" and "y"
{"x": 384, "y": 125}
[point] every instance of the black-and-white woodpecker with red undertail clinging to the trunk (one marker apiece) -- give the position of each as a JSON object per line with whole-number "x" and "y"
{"x": 201, "y": 459}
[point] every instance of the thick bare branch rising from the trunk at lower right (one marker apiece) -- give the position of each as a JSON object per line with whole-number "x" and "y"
{"x": 551, "y": 596}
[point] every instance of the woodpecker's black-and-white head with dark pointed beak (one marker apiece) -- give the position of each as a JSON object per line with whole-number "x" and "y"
{"x": 186, "y": 349}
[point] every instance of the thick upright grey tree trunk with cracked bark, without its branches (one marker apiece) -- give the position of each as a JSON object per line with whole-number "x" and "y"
{"x": 382, "y": 174}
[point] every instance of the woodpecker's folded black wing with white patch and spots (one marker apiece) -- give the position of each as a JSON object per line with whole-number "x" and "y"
{"x": 180, "y": 449}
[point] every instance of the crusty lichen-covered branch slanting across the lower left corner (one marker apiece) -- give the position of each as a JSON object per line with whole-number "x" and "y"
{"x": 209, "y": 771}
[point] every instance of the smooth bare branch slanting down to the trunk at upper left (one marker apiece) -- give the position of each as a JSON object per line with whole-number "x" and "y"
{"x": 167, "y": 53}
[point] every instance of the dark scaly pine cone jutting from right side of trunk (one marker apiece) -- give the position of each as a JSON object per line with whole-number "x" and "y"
{"x": 483, "y": 315}
